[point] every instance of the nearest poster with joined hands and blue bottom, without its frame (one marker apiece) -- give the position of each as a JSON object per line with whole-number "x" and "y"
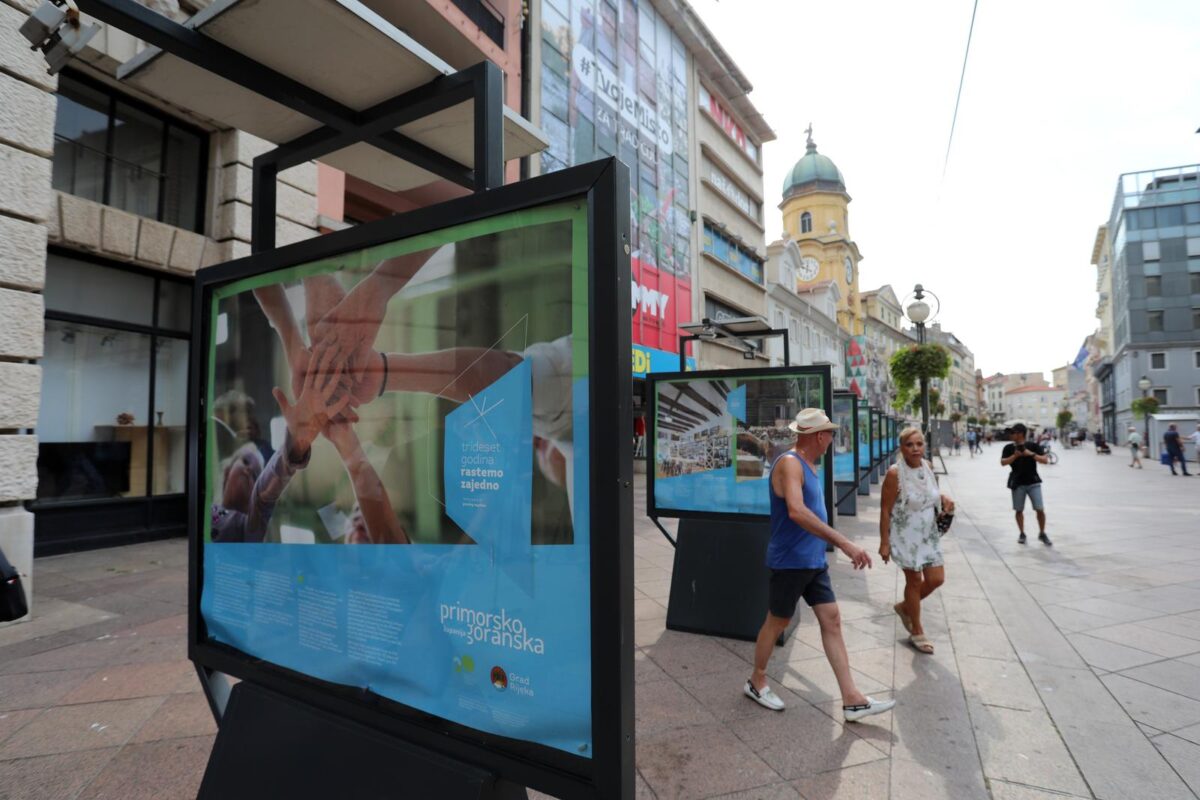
{"x": 398, "y": 473}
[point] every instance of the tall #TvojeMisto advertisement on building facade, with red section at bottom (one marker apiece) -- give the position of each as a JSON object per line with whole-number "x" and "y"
{"x": 615, "y": 83}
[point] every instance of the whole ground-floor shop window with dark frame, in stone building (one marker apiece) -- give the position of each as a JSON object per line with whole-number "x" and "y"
{"x": 113, "y": 419}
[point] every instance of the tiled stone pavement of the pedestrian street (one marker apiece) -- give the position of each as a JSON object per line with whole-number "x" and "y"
{"x": 1065, "y": 672}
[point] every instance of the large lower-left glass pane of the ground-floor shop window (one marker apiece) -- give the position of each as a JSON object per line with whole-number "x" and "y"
{"x": 92, "y": 425}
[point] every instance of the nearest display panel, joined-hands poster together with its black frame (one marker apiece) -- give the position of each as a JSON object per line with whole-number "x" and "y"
{"x": 409, "y": 435}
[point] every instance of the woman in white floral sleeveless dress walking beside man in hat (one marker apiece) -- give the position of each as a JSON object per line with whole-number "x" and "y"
{"x": 909, "y": 531}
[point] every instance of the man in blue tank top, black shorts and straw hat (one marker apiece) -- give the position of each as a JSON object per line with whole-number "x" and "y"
{"x": 796, "y": 556}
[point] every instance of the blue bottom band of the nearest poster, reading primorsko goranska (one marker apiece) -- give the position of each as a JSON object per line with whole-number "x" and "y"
{"x": 435, "y": 628}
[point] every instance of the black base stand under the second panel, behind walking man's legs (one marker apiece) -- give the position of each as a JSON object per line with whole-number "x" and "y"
{"x": 719, "y": 580}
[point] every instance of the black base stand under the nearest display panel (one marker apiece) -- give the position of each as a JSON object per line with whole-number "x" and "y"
{"x": 273, "y": 747}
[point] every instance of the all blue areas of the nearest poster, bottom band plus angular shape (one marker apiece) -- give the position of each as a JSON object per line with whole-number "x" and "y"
{"x": 495, "y": 636}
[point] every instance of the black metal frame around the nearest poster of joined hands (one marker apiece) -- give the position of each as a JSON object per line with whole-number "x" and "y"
{"x": 604, "y": 187}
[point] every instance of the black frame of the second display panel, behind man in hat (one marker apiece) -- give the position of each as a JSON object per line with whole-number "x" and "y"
{"x": 655, "y": 378}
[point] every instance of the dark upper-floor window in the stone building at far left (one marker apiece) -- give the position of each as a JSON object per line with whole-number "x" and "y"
{"x": 113, "y": 151}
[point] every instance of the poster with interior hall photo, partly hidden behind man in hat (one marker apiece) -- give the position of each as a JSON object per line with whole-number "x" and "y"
{"x": 717, "y": 438}
